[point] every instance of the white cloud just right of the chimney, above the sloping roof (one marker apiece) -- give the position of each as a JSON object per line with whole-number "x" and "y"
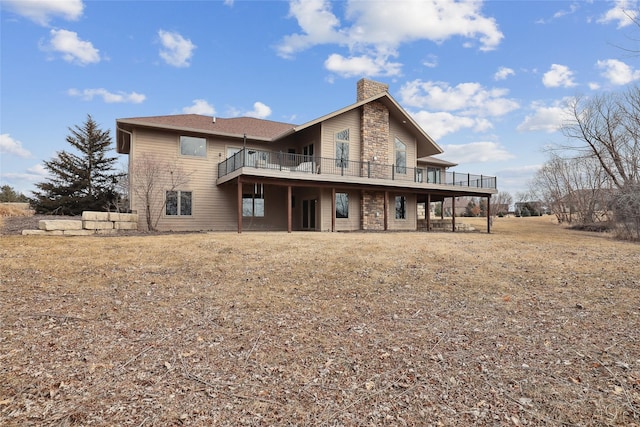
{"x": 467, "y": 98}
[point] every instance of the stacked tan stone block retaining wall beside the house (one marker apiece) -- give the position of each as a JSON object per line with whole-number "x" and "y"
{"x": 91, "y": 223}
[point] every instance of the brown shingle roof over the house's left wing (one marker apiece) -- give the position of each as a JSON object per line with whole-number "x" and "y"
{"x": 253, "y": 128}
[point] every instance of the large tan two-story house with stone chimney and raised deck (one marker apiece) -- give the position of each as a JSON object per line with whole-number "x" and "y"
{"x": 367, "y": 166}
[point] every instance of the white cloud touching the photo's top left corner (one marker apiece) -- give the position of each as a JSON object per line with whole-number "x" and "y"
{"x": 43, "y": 11}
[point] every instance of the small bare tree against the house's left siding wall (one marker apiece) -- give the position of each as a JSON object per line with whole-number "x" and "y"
{"x": 151, "y": 178}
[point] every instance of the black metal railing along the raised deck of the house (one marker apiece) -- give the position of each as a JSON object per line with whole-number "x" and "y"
{"x": 290, "y": 162}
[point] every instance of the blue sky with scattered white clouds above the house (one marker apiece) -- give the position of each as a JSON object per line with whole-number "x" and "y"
{"x": 487, "y": 80}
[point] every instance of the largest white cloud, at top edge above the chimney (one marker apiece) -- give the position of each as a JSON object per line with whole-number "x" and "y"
{"x": 375, "y": 33}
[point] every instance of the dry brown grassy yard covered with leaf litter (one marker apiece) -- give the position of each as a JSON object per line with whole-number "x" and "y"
{"x": 532, "y": 325}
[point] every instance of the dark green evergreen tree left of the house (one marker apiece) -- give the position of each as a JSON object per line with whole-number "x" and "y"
{"x": 82, "y": 181}
